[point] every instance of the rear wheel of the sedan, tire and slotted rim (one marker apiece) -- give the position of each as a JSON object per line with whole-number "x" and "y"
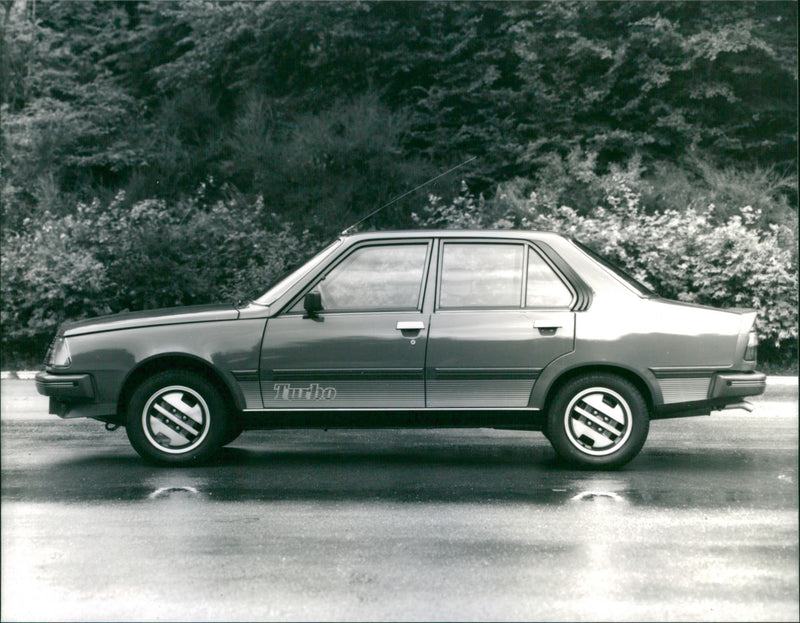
{"x": 597, "y": 420}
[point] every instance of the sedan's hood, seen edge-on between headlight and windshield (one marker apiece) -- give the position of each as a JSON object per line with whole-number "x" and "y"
{"x": 150, "y": 318}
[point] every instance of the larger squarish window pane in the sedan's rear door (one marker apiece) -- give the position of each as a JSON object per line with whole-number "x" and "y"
{"x": 476, "y": 275}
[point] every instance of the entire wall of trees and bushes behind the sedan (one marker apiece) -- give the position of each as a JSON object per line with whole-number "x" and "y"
{"x": 157, "y": 153}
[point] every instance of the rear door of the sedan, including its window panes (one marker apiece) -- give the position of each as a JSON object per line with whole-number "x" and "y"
{"x": 502, "y": 313}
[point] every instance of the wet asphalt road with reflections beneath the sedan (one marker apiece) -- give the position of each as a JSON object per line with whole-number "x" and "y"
{"x": 401, "y": 524}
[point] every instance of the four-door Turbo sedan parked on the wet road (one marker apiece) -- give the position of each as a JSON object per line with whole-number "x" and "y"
{"x": 496, "y": 329}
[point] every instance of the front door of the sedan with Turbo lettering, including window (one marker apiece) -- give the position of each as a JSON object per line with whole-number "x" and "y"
{"x": 365, "y": 348}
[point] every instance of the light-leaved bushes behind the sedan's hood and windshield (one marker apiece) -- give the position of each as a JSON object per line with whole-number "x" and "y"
{"x": 115, "y": 257}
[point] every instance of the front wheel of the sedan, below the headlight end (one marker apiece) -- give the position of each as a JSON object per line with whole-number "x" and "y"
{"x": 177, "y": 417}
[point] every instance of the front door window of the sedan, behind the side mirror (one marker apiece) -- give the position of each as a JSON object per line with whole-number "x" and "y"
{"x": 385, "y": 277}
